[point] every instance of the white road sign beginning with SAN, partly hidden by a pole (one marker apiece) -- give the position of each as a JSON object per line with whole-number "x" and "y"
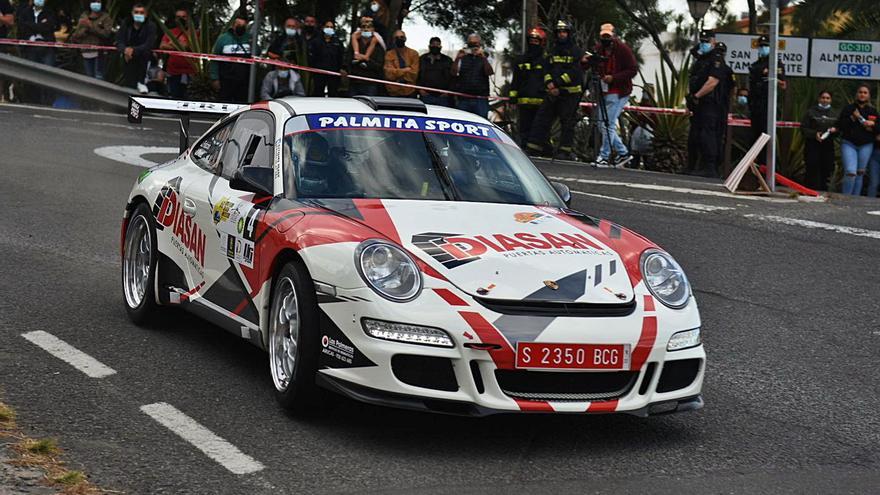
{"x": 742, "y": 51}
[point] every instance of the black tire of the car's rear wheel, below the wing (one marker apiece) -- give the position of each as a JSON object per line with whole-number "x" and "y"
{"x": 145, "y": 309}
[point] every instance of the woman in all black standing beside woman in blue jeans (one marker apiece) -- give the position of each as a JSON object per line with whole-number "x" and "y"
{"x": 817, "y": 127}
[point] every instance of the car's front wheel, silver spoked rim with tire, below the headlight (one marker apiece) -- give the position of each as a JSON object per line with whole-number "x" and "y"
{"x": 293, "y": 339}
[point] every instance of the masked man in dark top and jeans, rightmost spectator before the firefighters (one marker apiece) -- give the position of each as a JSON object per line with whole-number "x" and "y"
{"x": 472, "y": 71}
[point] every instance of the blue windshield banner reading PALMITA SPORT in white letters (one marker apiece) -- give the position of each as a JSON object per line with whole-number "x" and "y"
{"x": 401, "y": 123}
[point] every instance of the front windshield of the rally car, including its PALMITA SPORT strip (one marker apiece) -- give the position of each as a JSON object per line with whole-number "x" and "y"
{"x": 404, "y": 157}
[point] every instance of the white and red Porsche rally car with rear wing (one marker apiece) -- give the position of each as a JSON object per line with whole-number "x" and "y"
{"x": 411, "y": 256}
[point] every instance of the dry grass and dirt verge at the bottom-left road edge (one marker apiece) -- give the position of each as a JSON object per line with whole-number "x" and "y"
{"x": 43, "y": 454}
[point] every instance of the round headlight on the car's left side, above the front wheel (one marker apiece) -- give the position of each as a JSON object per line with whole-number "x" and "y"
{"x": 388, "y": 270}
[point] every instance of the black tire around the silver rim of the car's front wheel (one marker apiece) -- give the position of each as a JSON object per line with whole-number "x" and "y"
{"x": 300, "y": 395}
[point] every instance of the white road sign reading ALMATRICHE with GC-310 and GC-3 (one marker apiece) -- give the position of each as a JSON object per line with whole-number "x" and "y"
{"x": 845, "y": 59}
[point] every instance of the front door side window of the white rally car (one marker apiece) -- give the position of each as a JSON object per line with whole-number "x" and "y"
{"x": 251, "y": 143}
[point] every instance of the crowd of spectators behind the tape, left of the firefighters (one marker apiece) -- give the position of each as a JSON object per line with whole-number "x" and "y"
{"x": 371, "y": 51}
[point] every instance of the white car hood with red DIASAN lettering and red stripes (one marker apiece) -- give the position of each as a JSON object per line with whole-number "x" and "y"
{"x": 503, "y": 252}
